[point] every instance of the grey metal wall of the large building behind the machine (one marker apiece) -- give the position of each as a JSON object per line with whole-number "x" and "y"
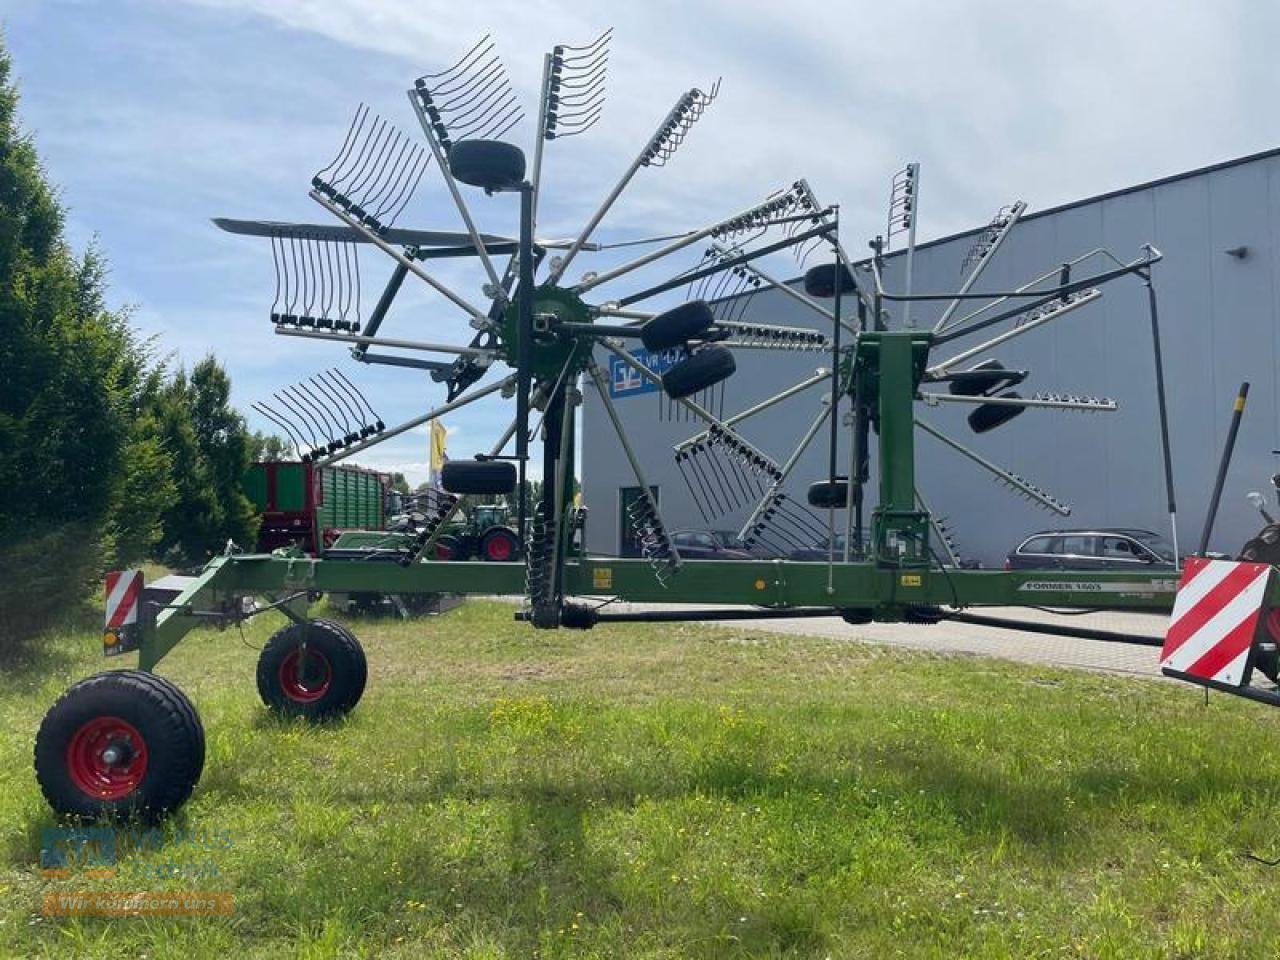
{"x": 1219, "y": 318}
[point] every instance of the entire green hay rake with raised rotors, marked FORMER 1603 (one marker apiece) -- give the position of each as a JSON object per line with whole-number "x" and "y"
{"x": 129, "y": 742}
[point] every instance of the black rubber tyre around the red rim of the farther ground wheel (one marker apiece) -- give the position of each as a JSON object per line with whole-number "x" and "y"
{"x": 346, "y": 660}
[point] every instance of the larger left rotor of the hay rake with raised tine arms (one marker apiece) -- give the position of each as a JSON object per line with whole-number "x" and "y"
{"x": 529, "y": 314}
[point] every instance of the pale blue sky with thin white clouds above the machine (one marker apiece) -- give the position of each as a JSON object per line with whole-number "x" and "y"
{"x": 154, "y": 117}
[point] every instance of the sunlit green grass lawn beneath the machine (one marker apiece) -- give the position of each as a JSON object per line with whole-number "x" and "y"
{"x": 679, "y": 792}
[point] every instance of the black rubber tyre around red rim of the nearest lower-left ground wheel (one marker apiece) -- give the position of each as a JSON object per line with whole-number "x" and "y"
{"x": 162, "y": 714}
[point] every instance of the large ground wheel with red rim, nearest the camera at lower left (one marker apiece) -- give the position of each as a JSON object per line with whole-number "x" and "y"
{"x": 120, "y": 744}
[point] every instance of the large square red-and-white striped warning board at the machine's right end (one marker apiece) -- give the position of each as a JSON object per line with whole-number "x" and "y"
{"x": 1215, "y": 620}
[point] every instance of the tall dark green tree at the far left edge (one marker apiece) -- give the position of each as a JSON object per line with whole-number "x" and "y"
{"x": 70, "y": 369}
